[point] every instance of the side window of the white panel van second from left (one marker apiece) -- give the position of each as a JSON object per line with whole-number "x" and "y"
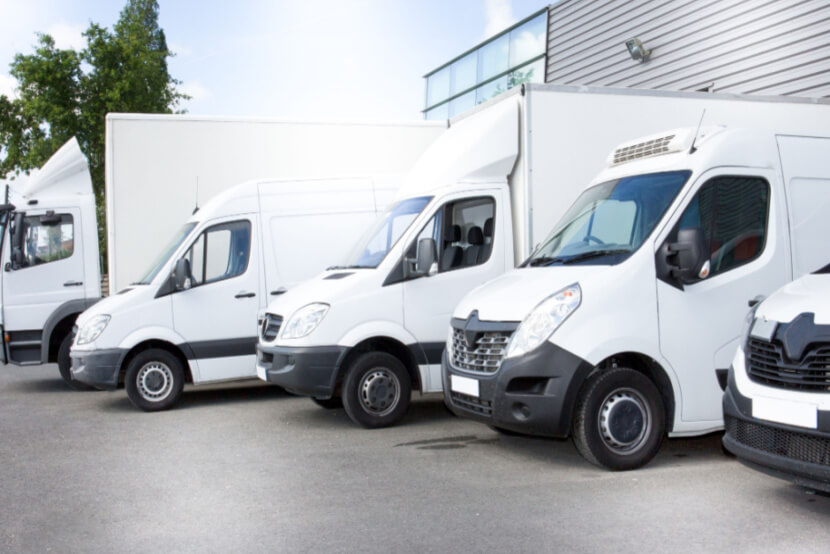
{"x": 221, "y": 252}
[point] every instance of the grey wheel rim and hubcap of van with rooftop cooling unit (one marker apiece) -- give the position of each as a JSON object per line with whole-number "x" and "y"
{"x": 624, "y": 421}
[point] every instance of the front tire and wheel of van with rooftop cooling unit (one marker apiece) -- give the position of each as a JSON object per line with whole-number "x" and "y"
{"x": 620, "y": 420}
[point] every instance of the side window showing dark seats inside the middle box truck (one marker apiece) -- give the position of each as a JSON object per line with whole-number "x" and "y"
{"x": 463, "y": 233}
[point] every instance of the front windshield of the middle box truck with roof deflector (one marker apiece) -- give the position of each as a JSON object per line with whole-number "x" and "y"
{"x": 384, "y": 233}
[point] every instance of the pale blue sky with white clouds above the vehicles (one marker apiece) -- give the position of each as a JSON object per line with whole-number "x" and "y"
{"x": 331, "y": 60}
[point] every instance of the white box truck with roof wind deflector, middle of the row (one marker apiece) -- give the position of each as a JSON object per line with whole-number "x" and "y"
{"x": 475, "y": 204}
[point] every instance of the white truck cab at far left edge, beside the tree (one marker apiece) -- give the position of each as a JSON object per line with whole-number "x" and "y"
{"x": 50, "y": 261}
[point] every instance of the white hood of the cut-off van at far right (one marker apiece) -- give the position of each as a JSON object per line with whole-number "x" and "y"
{"x": 809, "y": 294}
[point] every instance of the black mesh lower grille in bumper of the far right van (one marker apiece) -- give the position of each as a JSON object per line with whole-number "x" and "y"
{"x": 790, "y": 444}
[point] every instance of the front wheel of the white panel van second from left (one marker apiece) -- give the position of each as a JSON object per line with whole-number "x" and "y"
{"x": 154, "y": 380}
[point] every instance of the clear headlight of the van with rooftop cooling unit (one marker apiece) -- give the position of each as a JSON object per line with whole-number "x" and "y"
{"x": 545, "y": 318}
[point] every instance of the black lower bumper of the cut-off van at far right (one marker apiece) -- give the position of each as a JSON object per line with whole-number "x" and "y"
{"x": 795, "y": 454}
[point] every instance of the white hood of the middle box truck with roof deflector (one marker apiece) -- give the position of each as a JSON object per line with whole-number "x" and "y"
{"x": 326, "y": 287}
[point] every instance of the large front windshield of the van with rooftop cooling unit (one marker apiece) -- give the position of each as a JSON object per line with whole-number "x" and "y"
{"x": 609, "y": 221}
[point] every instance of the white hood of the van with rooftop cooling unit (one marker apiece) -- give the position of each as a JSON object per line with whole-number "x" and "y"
{"x": 512, "y": 296}
